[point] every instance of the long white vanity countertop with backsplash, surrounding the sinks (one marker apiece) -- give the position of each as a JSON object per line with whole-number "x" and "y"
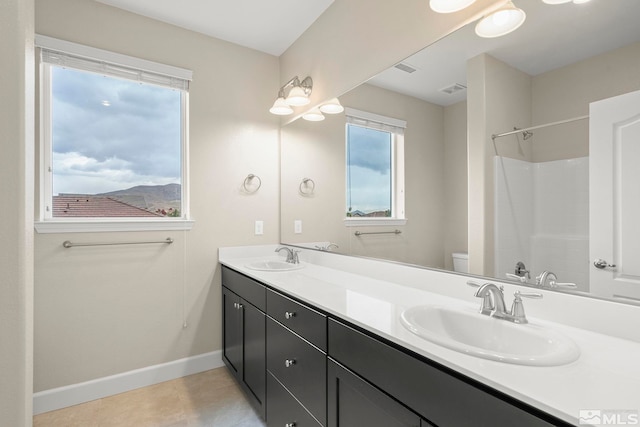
{"x": 606, "y": 377}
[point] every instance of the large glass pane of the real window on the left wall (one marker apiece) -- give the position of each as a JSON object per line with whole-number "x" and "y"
{"x": 116, "y": 147}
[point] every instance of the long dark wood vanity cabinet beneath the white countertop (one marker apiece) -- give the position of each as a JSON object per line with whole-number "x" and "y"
{"x": 303, "y": 368}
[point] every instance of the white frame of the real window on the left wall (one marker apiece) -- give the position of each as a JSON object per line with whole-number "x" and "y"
{"x": 46, "y": 223}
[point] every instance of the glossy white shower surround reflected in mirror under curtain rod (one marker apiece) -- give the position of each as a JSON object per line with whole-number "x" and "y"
{"x": 542, "y": 218}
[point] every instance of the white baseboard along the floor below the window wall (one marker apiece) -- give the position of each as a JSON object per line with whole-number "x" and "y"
{"x": 74, "y": 394}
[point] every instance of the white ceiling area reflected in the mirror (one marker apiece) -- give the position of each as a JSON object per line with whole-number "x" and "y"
{"x": 552, "y": 36}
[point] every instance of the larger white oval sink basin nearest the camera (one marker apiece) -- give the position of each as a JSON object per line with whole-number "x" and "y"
{"x": 489, "y": 338}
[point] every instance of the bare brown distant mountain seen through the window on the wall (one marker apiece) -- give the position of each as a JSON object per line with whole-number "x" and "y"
{"x": 149, "y": 197}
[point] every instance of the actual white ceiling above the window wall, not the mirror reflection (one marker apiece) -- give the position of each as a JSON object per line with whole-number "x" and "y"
{"x": 269, "y": 26}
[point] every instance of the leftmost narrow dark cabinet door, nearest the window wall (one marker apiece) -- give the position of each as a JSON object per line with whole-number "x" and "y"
{"x": 232, "y": 332}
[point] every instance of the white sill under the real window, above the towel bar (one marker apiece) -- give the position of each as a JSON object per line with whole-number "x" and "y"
{"x": 110, "y": 225}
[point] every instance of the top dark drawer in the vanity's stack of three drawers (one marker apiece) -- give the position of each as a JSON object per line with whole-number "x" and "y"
{"x": 306, "y": 322}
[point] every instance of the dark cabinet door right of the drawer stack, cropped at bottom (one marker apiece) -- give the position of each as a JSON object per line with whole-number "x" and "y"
{"x": 354, "y": 402}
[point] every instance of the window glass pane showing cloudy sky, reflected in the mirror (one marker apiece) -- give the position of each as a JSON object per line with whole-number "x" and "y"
{"x": 368, "y": 172}
